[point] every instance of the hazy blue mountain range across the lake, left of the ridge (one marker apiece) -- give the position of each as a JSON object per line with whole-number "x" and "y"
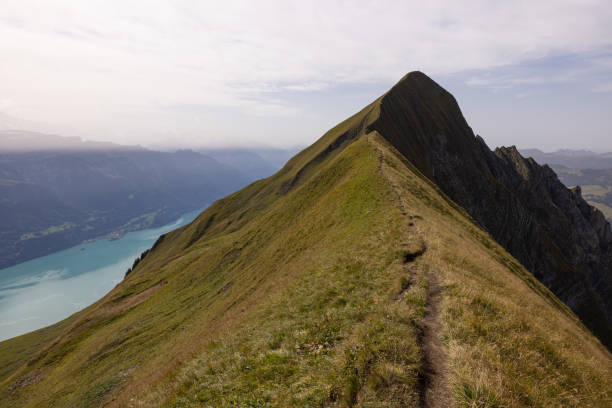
{"x": 56, "y": 192}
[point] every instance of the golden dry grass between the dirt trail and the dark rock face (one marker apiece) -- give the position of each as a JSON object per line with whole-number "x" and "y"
{"x": 508, "y": 345}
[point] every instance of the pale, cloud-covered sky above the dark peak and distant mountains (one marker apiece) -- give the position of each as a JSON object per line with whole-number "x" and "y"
{"x": 176, "y": 74}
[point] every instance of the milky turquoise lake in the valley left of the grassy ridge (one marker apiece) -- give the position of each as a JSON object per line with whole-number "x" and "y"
{"x": 45, "y": 290}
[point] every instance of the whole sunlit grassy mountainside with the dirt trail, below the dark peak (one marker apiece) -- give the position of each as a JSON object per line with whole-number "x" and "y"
{"x": 347, "y": 279}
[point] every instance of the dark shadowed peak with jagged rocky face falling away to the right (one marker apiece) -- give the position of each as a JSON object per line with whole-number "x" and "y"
{"x": 551, "y": 230}
